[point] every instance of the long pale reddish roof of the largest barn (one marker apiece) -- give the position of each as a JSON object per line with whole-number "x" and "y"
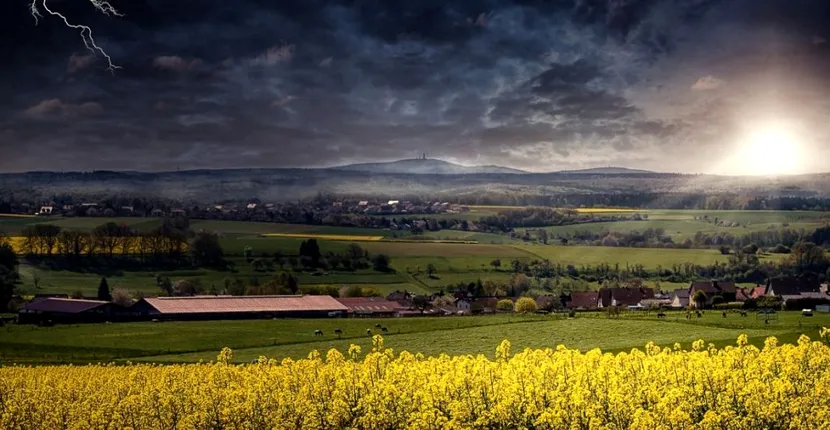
{"x": 241, "y": 304}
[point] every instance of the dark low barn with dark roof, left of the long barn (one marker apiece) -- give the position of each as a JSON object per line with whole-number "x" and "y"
{"x": 60, "y": 310}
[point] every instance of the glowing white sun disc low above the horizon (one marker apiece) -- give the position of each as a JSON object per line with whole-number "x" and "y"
{"x": 771, "y": 150}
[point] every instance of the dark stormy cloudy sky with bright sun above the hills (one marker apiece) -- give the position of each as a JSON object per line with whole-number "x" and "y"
{"x": 693, "y": 86}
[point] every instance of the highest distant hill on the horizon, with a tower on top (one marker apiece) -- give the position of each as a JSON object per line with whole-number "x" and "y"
{"x": 425, "y": 166}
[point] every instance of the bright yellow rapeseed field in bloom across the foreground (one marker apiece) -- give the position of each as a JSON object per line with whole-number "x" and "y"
{"x": 740, "y": 387}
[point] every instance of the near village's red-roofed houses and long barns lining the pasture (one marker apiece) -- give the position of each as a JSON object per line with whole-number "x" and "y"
{"x": 61, "y": 309}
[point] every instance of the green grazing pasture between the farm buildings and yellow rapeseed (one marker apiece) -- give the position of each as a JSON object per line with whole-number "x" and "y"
{"x": 194, "y": 341}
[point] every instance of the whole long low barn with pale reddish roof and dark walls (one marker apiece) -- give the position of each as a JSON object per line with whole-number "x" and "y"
{"x": 239, "y": 307}
